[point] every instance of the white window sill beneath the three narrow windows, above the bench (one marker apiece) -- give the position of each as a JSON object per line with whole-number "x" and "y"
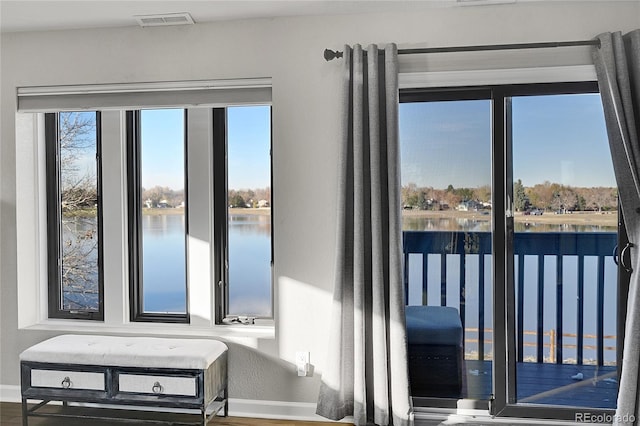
{"x": 264, "y": 330}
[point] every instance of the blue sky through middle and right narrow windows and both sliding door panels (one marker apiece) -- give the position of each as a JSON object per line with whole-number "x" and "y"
{"x": 559, "y": 139}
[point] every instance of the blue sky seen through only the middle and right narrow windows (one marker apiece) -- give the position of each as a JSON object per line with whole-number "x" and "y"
{"x": 249, "y": 138}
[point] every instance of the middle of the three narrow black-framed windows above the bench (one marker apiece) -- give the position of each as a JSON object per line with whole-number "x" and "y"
{"x": 157, "y": 215}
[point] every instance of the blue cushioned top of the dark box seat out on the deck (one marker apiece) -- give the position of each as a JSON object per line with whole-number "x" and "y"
{"x": 433, "y": 325}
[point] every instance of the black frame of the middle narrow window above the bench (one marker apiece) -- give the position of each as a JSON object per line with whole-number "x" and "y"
{"x": 134, "y": 226}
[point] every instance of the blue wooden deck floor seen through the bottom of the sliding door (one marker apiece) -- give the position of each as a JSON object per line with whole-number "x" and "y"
{"x": 550, "y": 384}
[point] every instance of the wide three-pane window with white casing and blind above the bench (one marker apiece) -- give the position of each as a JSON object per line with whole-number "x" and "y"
{"x": 156, "y": 238}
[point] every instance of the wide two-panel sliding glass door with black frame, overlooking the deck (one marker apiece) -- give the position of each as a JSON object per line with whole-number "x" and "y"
{"x": 510, "y": 216}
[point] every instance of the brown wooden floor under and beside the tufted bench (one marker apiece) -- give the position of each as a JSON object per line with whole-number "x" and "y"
{"x": 11, "y": 414}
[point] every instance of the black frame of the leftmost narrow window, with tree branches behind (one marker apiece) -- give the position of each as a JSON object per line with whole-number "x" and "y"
{"x": 54, "y": 223}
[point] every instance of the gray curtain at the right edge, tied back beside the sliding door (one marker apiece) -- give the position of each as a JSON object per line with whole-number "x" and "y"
{"x": 617, "y": 64}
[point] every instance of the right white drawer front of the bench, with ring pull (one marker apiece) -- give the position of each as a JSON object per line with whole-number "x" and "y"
{"x": 157, "y": 385}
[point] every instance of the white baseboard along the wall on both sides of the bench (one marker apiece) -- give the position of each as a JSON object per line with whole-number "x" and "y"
{"x": 302, "y": 411}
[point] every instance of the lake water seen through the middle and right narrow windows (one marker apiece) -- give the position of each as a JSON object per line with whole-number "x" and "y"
{"x": 249, "y": 264}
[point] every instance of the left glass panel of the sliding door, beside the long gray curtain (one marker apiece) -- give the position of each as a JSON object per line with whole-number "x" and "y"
{"x": 446, "y": 217}
